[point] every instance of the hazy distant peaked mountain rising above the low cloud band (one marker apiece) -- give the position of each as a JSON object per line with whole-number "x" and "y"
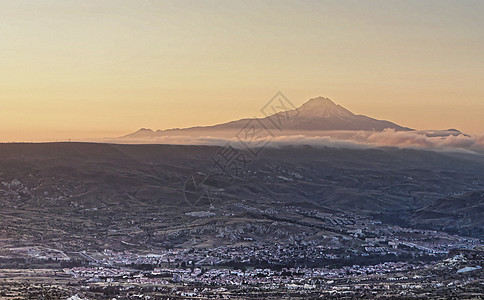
{"x": 317, "y": 114}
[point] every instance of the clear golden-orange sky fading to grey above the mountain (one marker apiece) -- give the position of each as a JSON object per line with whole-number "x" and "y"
{"x": 90, "y": 69}
